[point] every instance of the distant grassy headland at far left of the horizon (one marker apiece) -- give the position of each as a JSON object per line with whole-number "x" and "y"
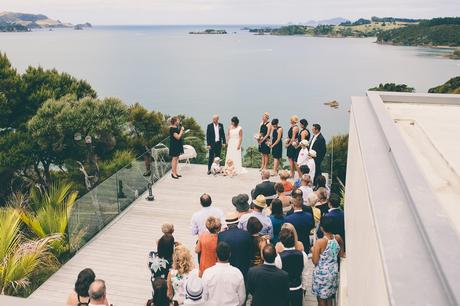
{"x": 22, "y": 22}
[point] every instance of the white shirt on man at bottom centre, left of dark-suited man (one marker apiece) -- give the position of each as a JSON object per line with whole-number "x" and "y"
{"x": 224, "y": 285}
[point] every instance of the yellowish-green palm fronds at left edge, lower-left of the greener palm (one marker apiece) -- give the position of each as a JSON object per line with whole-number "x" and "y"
{"x": 21, "y": 258}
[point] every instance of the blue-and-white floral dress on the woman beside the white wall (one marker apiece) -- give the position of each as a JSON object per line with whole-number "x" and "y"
{"x": 326, "y": 273}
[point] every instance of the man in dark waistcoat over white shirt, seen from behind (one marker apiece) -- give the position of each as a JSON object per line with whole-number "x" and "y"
{"x": 295, "y": 263}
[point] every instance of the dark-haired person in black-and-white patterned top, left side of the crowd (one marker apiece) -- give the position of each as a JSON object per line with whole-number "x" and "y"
{"x": 160, "y": 261}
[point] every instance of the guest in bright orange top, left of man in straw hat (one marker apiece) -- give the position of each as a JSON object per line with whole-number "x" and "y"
{"x": 207, "y": 244}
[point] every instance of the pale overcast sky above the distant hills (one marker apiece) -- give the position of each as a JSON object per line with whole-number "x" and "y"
{"x": 137, "y": 12}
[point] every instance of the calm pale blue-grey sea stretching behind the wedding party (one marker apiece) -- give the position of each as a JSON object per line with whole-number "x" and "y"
{"x": 166, "y": 69}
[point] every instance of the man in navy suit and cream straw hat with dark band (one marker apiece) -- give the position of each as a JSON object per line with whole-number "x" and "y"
{"x": 240, "y": 243}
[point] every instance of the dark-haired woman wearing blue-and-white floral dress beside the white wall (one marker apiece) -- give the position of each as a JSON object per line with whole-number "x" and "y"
{"x": 325, "y": 258}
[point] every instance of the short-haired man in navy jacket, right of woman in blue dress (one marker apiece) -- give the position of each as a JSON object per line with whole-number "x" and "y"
{"x": 302, "y": 220}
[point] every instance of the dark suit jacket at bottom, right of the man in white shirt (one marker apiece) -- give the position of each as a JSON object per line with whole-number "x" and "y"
{"x": 268, "y": 285}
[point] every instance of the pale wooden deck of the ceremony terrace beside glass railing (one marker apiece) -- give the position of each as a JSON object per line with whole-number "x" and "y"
{"x": 119, "y": 253}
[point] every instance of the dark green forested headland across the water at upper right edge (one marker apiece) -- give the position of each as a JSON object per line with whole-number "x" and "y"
{"x": 434, "y": 32}
